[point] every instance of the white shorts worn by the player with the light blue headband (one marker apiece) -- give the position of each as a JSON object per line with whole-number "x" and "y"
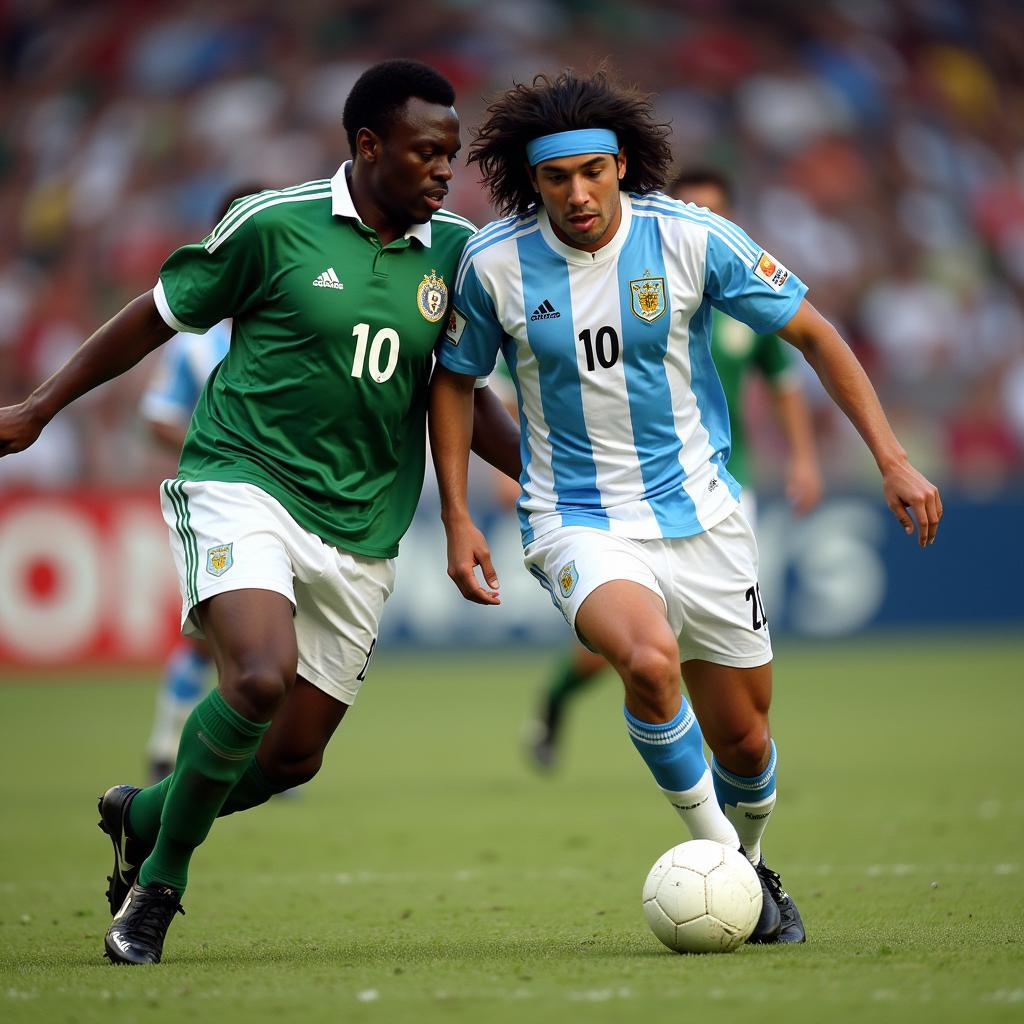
{"x": 709, "y": 584}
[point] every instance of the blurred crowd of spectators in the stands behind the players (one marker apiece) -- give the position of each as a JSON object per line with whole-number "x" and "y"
{"x": 877, "y": 146}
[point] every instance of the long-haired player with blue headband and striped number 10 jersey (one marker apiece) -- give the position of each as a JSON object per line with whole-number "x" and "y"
{"x": 600, "y": 290}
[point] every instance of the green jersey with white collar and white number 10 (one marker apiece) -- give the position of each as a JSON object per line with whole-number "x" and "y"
{"x": 321, "y": 401}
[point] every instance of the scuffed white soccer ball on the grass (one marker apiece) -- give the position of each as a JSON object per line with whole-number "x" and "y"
{"x": 702, "y": 898}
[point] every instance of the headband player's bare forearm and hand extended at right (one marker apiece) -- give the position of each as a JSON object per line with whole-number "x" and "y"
{"x": 845, "y": 380}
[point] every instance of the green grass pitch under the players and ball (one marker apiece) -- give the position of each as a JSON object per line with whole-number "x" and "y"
{"x": 430, "y": 875}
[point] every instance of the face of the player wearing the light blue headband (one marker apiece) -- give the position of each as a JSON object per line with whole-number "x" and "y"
{"x": 581, "y": 195}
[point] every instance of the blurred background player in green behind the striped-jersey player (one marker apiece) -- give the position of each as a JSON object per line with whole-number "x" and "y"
{"x": 739, "y": 355}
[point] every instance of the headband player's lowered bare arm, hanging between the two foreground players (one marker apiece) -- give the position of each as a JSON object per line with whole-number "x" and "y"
{"x": 451, "y": 434}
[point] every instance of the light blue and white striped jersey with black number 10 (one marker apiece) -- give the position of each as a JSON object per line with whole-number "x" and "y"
{"x": 624, "y": 420}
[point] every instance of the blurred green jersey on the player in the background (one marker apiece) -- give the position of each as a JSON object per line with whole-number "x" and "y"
{"x": 737, "y": 352}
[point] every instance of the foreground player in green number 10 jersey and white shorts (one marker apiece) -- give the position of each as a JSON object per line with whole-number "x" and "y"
{"x": 302, "y": 470}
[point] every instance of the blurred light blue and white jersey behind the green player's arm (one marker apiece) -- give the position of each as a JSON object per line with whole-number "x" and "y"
{"x": 186, "y": 363}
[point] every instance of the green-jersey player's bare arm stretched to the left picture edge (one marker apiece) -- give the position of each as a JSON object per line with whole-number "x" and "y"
{"x": 117, "y": 347}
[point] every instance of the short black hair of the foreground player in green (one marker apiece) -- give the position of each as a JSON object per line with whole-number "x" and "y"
{"x": 383, "y": 90}
